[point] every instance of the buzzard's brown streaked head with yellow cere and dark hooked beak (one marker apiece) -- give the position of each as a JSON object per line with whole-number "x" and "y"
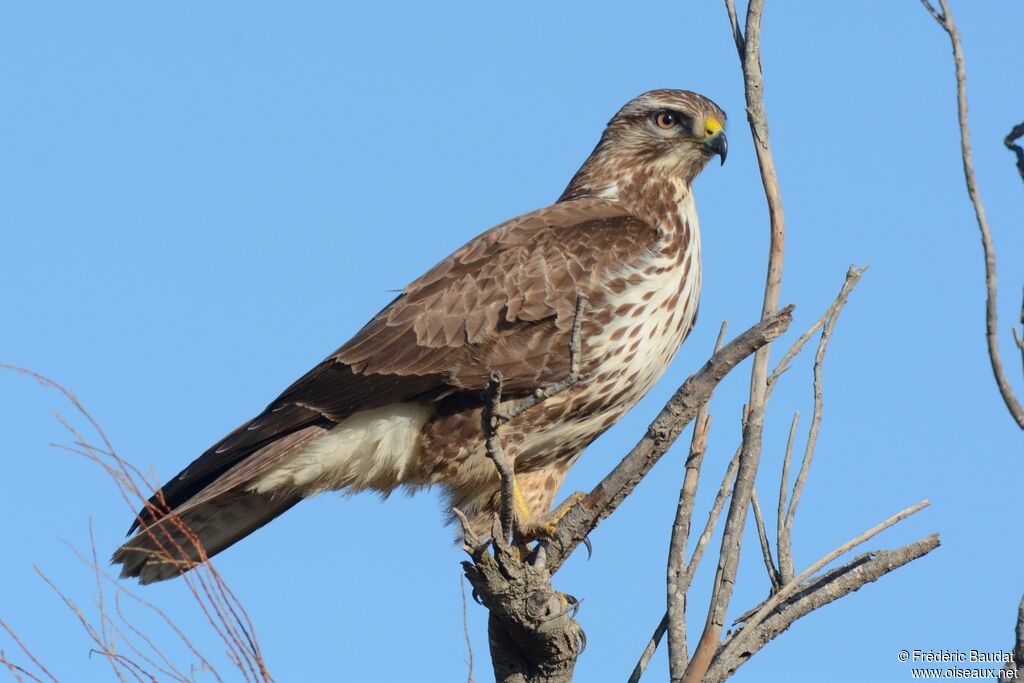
{"x": 671, "y": 135}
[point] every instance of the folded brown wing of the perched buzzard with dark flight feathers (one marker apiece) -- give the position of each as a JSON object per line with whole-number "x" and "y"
{"x": 503, "y": 302}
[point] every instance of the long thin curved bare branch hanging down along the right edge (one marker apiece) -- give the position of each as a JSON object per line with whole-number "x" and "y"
{"x": 946, "y": 20}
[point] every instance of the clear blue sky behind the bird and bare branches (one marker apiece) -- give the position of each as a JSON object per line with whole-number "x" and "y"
{"x": 201, "y": 202}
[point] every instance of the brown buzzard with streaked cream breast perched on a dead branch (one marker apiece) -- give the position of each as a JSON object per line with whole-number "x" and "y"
{"x": 399, "y": 405}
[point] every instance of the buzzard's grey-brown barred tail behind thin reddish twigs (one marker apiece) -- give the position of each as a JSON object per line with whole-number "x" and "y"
{"x": 169, "y": 548}
